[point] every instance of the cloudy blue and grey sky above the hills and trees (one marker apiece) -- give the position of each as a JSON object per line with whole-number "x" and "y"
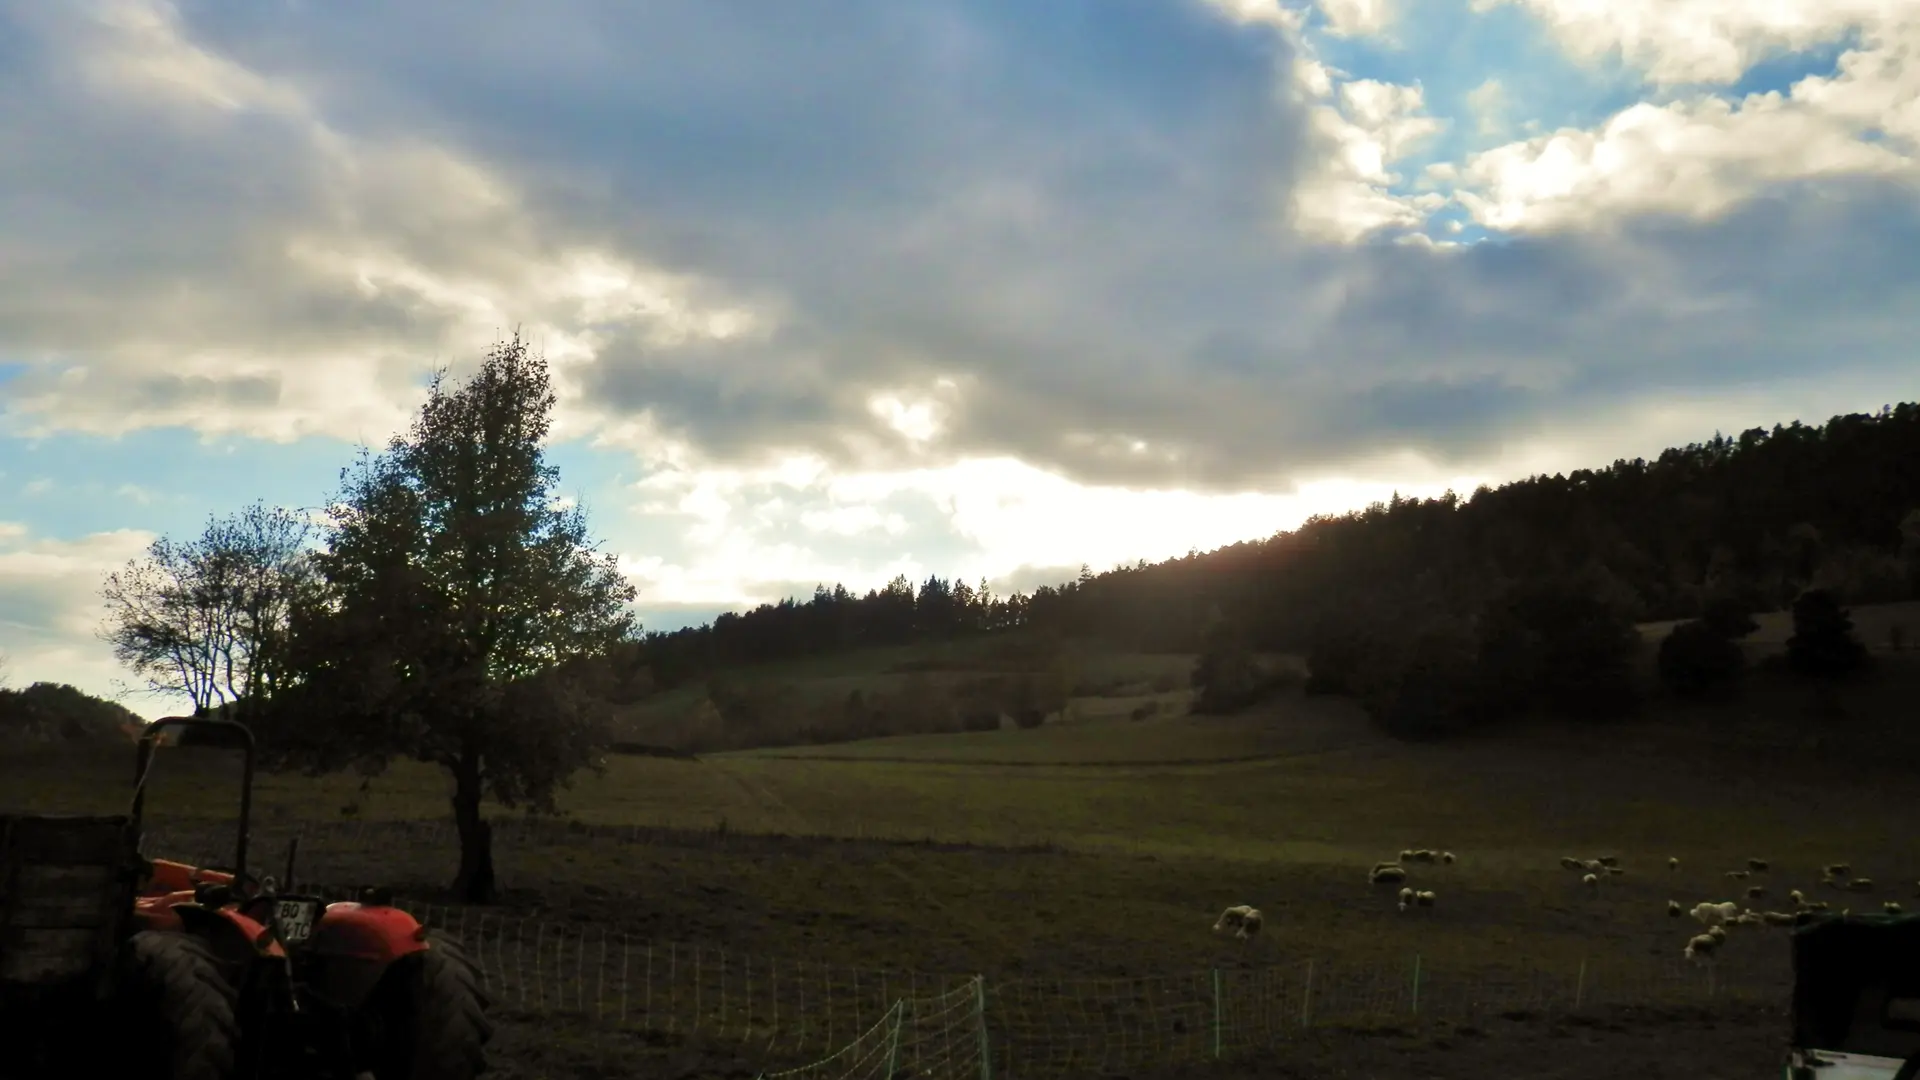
{"x": 984, "y": 289}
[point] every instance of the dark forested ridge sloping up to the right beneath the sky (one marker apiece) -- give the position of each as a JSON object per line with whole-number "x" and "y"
{"x": 1756, "y": 518}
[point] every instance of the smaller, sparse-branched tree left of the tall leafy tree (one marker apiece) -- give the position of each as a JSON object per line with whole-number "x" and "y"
{"x": 208, "y": 618}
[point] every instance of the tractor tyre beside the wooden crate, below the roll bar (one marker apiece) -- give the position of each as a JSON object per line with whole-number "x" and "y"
{"x": 176, "y": 1010}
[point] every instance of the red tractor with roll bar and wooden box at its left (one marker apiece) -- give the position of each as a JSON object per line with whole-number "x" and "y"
{"x": 214, "y": 973}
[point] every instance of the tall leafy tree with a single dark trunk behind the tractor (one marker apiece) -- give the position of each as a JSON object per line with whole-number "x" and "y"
{"x": 466, "y": 618}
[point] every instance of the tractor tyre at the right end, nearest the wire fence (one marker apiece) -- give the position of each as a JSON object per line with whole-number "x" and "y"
{"x": 431, "y": 1016}
